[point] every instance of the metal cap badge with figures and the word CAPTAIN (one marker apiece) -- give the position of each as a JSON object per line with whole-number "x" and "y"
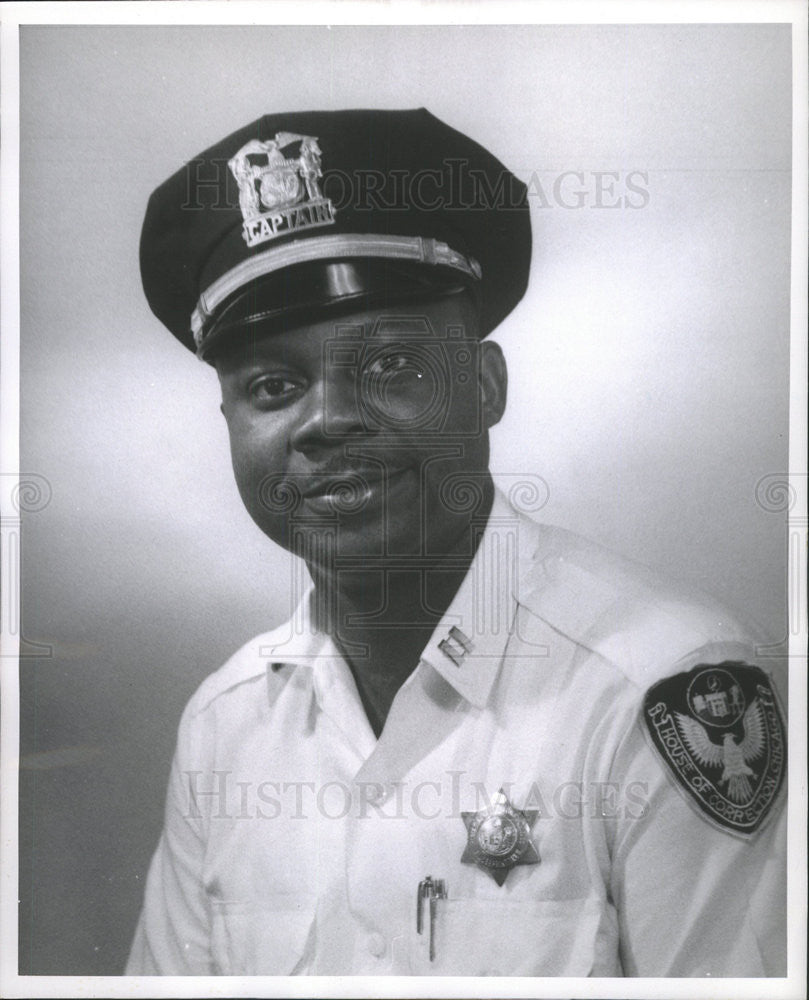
{"x": 278, "y": 192}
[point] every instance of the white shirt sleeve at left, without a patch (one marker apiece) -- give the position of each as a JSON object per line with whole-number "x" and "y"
{"x": 172, "y": 936}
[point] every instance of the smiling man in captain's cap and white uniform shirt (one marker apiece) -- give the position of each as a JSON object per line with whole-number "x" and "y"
{"x": 480, "y": 746}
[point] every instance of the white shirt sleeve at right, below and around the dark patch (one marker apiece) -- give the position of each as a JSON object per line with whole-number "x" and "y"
{"x": 693, "y": 899}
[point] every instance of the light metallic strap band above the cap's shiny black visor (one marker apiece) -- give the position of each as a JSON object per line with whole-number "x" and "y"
{"x": 411, "y": 248}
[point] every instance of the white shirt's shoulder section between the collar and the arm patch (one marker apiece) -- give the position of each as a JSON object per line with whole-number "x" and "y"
{"x": 644, "y": 625}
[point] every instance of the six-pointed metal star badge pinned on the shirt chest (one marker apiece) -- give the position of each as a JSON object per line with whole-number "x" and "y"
{"x": 499, "y": 838}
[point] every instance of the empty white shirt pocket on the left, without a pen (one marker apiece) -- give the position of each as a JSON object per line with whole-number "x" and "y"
{"x": 267, "y": 937}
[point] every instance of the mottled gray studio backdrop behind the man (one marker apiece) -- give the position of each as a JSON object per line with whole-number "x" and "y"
{"x": 649, "y": 369}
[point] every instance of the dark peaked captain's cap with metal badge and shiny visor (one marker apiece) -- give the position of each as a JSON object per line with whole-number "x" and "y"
{"x": 299, "y": 215}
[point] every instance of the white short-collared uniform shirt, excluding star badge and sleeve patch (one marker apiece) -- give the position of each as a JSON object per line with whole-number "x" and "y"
{"x": 295, "y": 841}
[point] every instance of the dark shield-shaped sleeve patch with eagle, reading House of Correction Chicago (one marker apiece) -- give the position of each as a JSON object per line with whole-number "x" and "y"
{"x": 719, "y": 730}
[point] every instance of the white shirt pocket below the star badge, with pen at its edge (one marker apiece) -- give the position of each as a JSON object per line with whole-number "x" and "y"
{"x": 517, "y": 937}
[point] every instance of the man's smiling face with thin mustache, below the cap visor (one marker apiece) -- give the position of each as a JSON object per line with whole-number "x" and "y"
{"x": 365, "y": 429}
